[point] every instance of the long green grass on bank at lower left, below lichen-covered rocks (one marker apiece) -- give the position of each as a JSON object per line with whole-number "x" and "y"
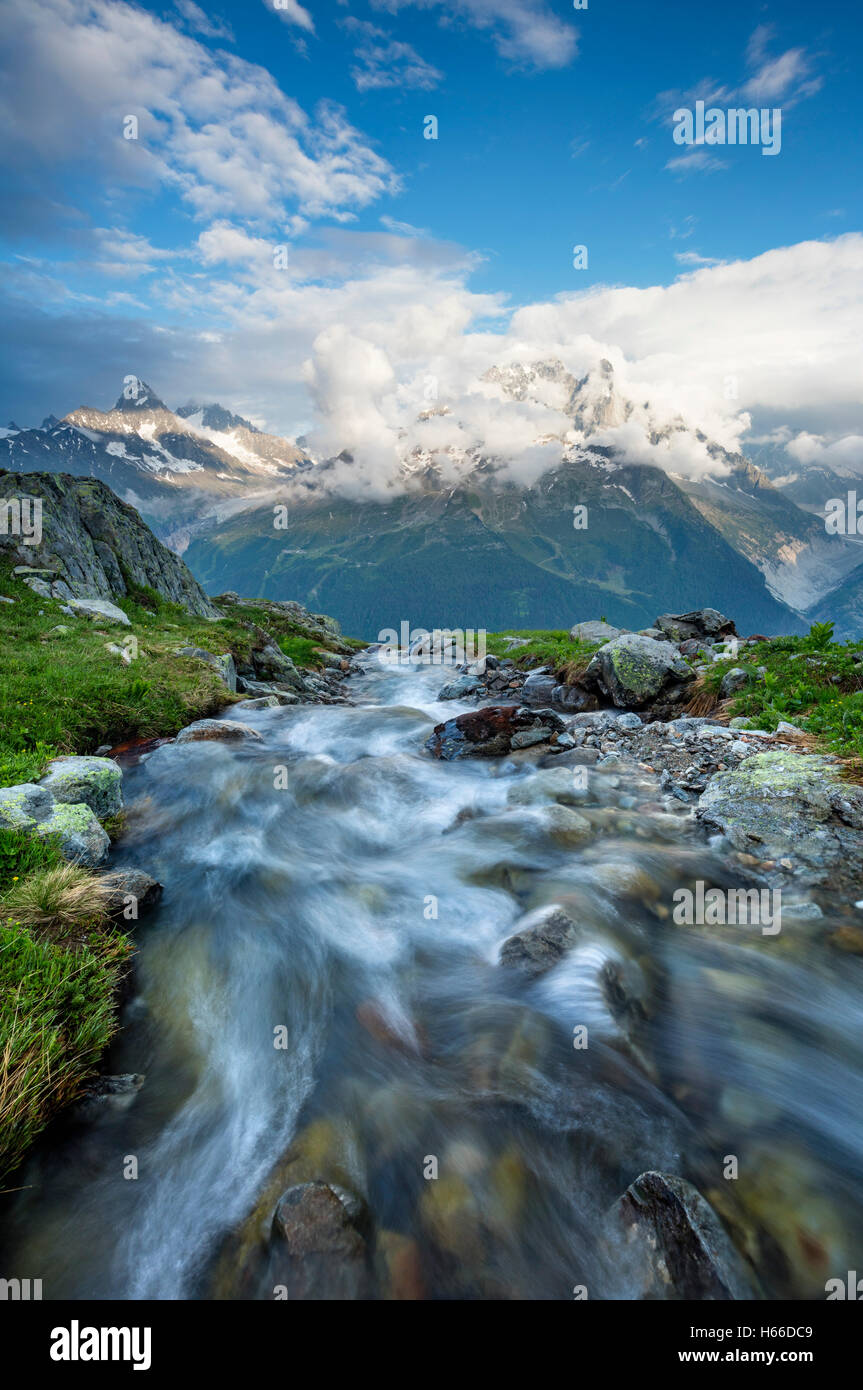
{"x": 58, "y": 1015}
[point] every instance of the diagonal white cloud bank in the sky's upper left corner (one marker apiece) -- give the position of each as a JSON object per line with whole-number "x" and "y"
{"x": 212, "y": 129}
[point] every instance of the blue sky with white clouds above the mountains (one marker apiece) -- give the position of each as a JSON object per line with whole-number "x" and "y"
{"x": 302, "y": 127}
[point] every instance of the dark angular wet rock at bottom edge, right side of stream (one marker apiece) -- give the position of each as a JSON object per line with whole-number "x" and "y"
{"x": 677, "y": 1245}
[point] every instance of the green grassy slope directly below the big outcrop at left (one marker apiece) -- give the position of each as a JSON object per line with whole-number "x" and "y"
{"x": 67, "y": 694}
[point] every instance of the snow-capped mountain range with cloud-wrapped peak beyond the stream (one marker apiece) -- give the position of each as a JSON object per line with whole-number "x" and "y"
{"x": 669, "y": 508}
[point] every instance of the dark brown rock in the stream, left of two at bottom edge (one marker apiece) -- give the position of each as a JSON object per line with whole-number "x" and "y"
{"x": 319, "y": 1246}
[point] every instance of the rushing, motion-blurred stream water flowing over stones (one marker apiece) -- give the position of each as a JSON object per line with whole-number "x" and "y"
{"x": 362, "y": 910}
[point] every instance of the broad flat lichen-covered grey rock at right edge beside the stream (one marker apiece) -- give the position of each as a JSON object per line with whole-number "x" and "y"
{"x": 787, "y": 806}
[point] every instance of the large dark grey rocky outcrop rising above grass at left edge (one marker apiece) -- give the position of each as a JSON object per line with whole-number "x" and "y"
{"x": 95, "y": 547}
